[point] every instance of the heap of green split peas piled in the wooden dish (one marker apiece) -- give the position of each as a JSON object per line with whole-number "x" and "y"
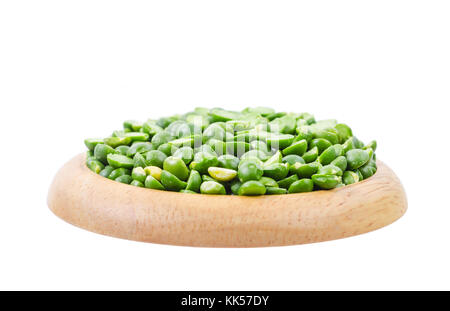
{"x": 214, "y": 151}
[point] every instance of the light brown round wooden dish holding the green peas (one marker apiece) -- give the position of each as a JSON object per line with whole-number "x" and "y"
{"x": 98, "y": 204}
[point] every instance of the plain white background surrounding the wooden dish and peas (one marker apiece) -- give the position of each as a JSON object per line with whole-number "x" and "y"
{"x": 75, "y": 69}
